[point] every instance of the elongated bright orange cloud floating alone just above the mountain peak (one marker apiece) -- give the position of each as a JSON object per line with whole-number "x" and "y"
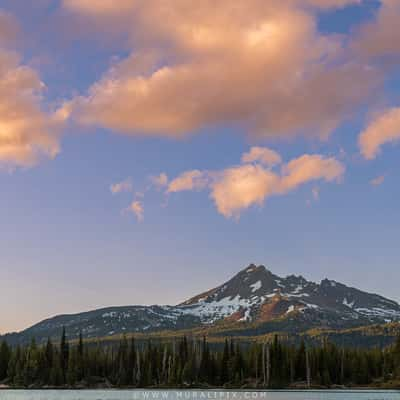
{"x": 237, "y": 188}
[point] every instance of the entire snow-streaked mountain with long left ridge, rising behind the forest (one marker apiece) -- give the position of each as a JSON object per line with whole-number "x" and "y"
{"x": 253, "y": 302}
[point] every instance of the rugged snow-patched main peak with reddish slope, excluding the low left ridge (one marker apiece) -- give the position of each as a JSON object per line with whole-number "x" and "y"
{"x": 256, "y": 294}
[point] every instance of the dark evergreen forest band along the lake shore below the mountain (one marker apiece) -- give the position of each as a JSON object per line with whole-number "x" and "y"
{"x": 192, "y": 362}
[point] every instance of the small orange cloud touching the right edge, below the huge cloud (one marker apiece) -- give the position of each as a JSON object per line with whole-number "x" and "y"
{"x": 382, "y": 130}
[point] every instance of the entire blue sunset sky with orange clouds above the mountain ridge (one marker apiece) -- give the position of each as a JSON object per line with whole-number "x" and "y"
{"x": 151, "y": 149}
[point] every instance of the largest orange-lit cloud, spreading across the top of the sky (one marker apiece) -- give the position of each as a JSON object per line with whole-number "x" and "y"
{"x": 260, "y": 64}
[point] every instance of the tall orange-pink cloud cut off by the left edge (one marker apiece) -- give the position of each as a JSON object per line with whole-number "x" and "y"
{"x": 27, "y": 133}
